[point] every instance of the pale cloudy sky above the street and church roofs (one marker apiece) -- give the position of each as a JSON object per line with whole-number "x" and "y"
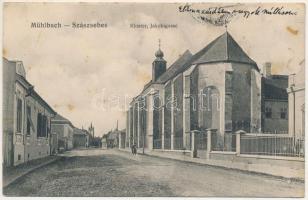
{"x": 84, "y": 73}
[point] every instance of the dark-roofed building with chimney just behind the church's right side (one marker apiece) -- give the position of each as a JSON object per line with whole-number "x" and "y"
{"x": 274, "y": 106}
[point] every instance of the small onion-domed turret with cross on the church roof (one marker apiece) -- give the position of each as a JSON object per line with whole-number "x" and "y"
{"x": 158, "y": 65}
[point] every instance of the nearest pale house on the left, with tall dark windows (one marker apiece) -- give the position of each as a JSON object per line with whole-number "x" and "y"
{"x": 26, "y": 117}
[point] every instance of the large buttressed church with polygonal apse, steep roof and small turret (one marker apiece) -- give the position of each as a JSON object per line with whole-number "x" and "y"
{"x": 218, "y": 88}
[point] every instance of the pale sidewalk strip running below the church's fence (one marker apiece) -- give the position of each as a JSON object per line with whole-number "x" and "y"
{"x": 292, "y": 173}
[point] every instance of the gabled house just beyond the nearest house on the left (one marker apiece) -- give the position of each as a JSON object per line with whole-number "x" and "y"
{"x": 64, "y": 129}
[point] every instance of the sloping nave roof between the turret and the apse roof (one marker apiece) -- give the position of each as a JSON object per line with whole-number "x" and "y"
{"x": 177, "y": 67}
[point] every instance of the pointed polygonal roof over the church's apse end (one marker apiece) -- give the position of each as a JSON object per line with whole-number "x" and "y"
{"x": 223, "y": 49}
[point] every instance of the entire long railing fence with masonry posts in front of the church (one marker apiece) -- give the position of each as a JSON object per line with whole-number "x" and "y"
{"x": 242, "y": 143}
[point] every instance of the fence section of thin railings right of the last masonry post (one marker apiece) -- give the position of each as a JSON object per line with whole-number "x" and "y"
{"x": 272, "y": 145}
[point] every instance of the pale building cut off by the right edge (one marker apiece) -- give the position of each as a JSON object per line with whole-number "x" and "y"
{"x": 296, "y": 95}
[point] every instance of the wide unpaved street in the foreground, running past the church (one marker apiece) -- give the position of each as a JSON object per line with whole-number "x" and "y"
{"x": 113, "y": 173}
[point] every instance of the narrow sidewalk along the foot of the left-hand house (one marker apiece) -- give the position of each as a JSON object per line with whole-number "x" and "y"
{"x": 11, "y": 174}
